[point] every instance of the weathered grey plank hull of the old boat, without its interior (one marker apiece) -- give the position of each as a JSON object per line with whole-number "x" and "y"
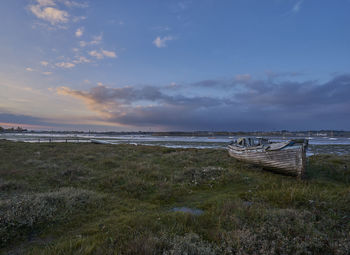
{"x": 290, "y": 160}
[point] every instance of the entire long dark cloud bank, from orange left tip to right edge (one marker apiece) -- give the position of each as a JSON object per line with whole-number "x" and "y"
{"x": 248, "y": 104}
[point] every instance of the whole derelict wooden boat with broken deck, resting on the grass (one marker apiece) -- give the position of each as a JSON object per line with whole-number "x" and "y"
{"x": 284, "y": 157}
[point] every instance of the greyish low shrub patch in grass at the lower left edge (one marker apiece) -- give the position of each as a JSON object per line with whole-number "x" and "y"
{"x": 21, "y": 215}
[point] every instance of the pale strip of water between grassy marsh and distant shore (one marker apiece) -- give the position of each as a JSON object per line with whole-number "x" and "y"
{"x": 317, "y": 145}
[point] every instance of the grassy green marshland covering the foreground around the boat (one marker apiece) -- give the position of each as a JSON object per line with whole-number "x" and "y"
{"x": 118, "y": 199}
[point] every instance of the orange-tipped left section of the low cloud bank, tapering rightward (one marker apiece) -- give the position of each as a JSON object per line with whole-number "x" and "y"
{"x": 138, "y": 106}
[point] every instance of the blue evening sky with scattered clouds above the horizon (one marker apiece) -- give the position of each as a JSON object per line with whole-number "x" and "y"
{"x": 175, "y": 65}
